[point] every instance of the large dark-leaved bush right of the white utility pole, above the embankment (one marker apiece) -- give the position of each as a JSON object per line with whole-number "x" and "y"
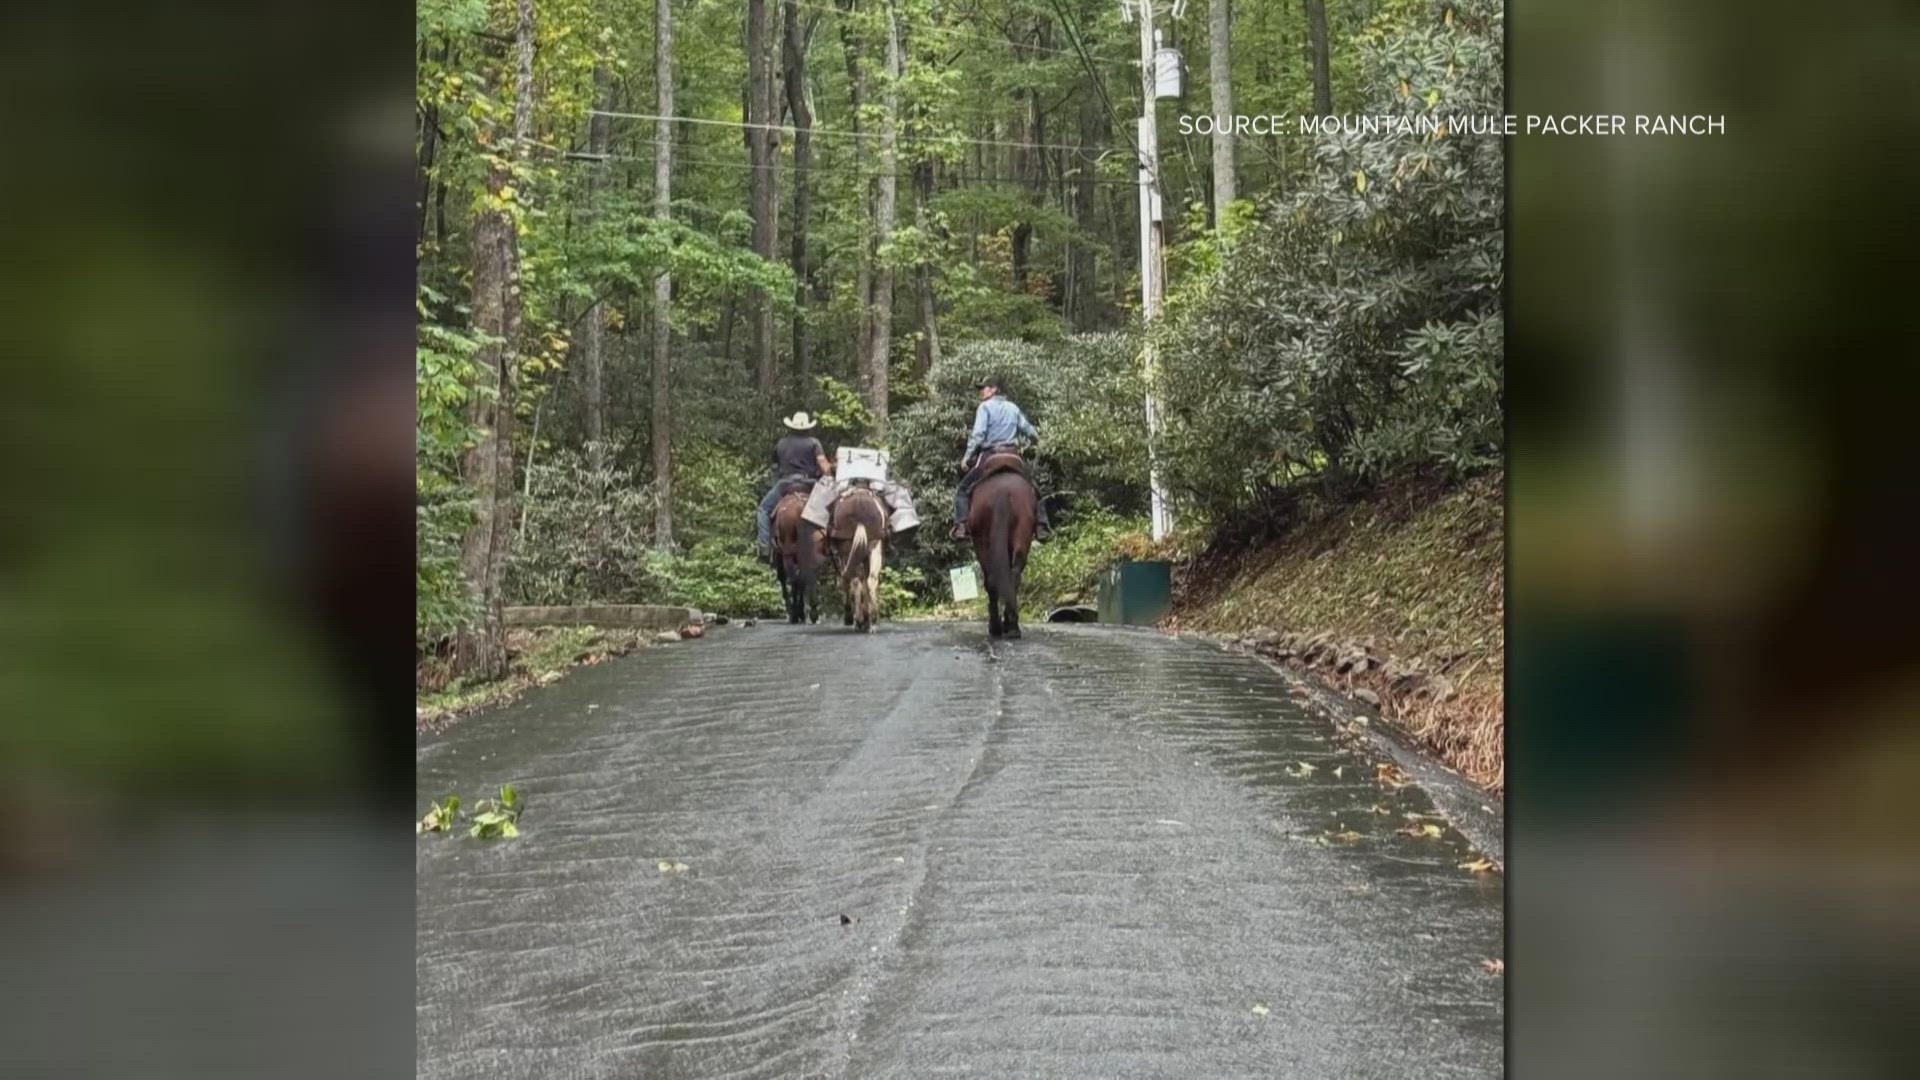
{"x": 1356, "y": 330}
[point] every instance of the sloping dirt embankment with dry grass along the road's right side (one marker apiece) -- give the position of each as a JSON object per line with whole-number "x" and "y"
{"x": 1397, "y": 599}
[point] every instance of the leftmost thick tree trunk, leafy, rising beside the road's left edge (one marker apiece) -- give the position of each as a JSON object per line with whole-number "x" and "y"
{"x": 489, "y": 466}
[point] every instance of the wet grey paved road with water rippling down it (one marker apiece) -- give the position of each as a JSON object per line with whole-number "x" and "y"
{"x": 1082, "y": 854}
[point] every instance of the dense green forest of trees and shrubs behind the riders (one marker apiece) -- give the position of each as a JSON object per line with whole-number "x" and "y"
{"x": 650, "y": 228}
